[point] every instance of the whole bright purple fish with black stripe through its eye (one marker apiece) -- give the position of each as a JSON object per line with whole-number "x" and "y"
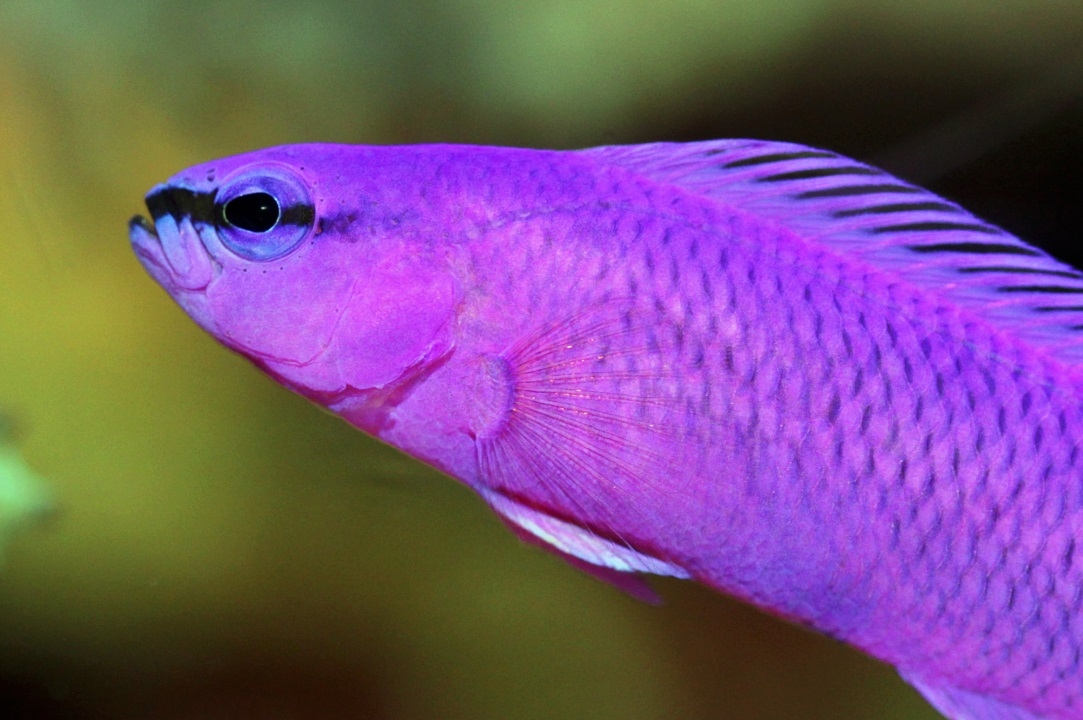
{"x": 769, "y": 369}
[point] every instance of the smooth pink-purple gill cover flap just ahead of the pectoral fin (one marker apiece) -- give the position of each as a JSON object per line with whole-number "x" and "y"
{"x": 397, "y": 319}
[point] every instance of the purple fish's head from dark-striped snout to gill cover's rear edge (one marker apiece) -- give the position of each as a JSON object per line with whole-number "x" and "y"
{"x": 317, "y": 263}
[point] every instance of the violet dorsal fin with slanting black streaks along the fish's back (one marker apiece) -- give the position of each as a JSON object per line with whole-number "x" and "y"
{"x": 868, "y": 214}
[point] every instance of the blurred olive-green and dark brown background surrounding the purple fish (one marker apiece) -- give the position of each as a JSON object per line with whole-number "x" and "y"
{"x": 224, "y": 549}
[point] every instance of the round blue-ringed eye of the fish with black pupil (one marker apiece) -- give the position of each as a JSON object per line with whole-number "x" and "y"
{"x": 264, "y": 213}
